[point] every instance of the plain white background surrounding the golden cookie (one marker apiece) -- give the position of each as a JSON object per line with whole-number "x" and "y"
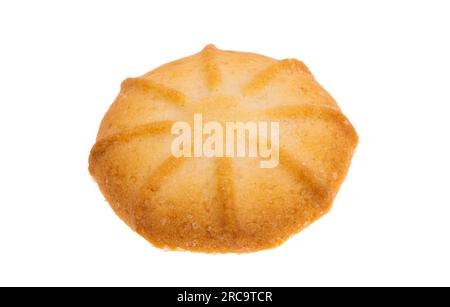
{"x": 387, "y": 63}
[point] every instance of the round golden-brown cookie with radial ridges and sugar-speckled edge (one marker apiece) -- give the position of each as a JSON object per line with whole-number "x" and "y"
{"x": 222, "y": 203}
